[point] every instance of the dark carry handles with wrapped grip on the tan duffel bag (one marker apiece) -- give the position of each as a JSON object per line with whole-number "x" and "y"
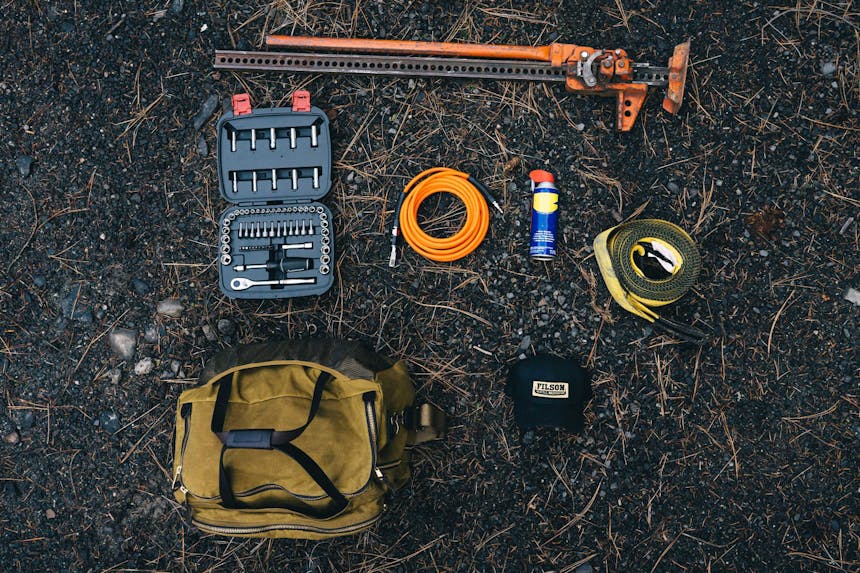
{"x": 272, "y": 439}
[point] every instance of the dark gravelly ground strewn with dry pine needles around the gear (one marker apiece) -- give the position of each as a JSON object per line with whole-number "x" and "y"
{"x": 741, "y": 455}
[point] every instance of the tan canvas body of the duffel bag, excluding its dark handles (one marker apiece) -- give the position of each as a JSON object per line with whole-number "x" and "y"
{"x": 272, "y": 387}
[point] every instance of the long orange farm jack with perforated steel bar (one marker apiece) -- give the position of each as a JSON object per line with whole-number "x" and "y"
{"x": 584, "y": 70}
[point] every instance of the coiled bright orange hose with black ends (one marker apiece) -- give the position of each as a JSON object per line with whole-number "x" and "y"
{"x": 474, "y": 195}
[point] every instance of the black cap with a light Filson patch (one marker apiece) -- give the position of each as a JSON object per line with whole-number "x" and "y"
{"x": 549, "y": 391}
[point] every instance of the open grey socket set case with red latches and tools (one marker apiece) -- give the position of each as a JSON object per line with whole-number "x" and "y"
{"x": 273, "y": 164}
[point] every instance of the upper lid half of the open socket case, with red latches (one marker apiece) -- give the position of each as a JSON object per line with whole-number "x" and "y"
{"x": 250, "y": 131}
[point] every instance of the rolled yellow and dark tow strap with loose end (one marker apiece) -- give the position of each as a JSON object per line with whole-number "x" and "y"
{"x": 649, "y": 263}
